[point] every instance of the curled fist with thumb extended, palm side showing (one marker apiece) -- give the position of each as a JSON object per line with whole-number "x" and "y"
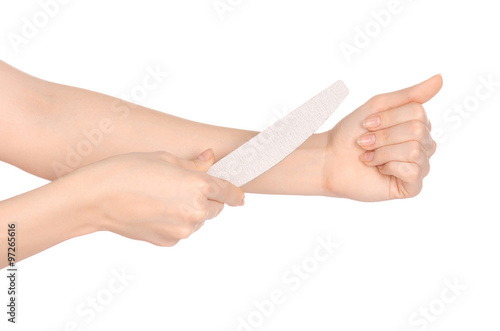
{"x": 381, "y": 150}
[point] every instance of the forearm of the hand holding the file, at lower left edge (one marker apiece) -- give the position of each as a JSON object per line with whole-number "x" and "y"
{"x": 43, "y": 218}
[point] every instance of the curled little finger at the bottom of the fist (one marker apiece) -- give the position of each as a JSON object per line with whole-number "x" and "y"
{"x": 407, "y": 172}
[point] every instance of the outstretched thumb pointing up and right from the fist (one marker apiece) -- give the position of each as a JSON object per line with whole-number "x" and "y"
{"x": 420, "y": 93}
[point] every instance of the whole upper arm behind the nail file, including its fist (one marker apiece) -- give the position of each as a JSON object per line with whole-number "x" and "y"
{"x": 60, "y": 128}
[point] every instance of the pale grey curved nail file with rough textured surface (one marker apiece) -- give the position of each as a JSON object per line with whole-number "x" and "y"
{"x": 272, "y": 145}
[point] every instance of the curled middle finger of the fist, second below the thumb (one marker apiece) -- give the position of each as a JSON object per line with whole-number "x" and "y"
{"x": 408, "y": 131}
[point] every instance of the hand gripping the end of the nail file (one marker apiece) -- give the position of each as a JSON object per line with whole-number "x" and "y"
{"x": 155, "y": 197}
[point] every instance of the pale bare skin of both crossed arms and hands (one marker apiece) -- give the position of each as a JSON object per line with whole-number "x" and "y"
{"x": 146, "y": 178}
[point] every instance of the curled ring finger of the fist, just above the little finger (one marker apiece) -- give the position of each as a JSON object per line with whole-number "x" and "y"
{"x": 409, "y": 152}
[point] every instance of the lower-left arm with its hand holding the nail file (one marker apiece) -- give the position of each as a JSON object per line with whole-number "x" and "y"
{"x": 155, "y": 197}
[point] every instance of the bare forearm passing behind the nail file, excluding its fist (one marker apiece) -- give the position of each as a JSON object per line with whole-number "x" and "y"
{"x": 65, "y": 128}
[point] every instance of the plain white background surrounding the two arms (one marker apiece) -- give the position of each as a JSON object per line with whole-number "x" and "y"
{"x": 394, "y": 257}
